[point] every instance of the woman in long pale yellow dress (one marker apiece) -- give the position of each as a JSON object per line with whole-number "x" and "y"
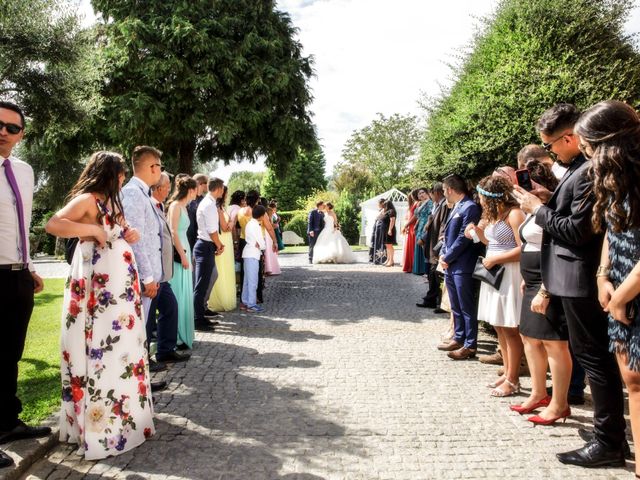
{"x": 223, "y": 295}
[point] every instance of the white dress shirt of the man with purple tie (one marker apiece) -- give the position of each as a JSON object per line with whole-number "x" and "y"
{"x": 10, "y": 242}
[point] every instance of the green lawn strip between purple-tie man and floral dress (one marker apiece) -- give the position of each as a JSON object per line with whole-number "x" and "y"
{"x": 39, "y": 377}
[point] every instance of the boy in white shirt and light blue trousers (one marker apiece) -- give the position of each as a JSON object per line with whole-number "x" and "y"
{"x": 251, "y": 259}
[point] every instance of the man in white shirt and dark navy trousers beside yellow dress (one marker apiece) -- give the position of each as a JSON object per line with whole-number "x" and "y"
{"x": 207, "y": 246}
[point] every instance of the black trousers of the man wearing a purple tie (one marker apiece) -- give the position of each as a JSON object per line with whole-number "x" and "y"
{"x": 16, "y": 298}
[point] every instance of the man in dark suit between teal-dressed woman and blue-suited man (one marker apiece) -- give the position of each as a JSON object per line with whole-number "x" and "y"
{"x": 429, "y": 240}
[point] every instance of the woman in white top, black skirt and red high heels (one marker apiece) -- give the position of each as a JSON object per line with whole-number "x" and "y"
{"x": 544, "y": 335}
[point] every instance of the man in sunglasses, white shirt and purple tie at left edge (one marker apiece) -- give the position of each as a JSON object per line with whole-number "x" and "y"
{"x": 18, "y": 279}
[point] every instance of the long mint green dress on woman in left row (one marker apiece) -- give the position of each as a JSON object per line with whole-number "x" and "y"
{"x": 182, "y": 286}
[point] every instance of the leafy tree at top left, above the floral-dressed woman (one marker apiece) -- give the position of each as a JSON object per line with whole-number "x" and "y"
{"x": 48, "y": 65}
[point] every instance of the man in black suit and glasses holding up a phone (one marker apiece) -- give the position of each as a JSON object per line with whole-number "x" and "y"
{"x": 570, "y": 257}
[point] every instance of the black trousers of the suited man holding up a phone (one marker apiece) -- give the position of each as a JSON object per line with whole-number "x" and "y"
{"x": 587, "y": 324}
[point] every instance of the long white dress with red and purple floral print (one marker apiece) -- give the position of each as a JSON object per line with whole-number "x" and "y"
{"x": 106, "y": 394}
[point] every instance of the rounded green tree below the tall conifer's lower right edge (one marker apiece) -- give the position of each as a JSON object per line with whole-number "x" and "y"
{"x": 304, "y": 175}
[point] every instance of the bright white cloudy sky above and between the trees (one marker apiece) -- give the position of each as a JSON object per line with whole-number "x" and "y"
{"x": 375, "y": 56}
